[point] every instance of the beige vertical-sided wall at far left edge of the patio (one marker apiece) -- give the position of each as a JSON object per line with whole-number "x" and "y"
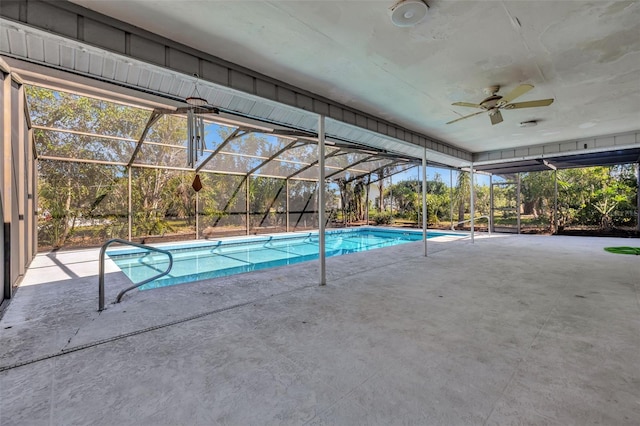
{"x": 17, "y": 186}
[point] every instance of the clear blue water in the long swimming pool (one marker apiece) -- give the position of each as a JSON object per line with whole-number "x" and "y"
{"x": 212, "y": 259}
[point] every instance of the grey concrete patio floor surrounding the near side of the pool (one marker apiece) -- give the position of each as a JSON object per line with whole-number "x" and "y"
{"x": 509, "y": 330}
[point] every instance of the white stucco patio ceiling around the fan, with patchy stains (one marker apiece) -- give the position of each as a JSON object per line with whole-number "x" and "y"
{"x": 585, "y": 55}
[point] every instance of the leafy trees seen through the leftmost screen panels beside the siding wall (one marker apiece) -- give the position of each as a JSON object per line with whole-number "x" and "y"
{"x": 87, "y": 194}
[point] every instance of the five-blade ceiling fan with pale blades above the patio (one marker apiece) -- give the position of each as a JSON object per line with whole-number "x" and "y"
{"x": 494, "y": 103}
